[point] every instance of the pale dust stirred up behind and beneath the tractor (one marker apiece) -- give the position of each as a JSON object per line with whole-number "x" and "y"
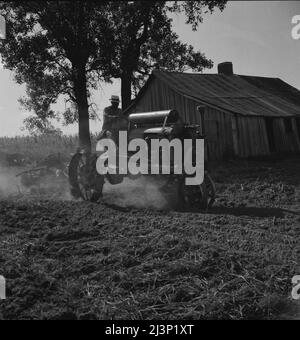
{"x": 141, "y": 193}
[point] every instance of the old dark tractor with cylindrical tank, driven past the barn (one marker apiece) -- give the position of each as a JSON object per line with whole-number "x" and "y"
{"x": 87, "y": 184}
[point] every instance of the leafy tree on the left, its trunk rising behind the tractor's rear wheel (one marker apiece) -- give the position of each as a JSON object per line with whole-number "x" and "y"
{"x": 51, "y": 46}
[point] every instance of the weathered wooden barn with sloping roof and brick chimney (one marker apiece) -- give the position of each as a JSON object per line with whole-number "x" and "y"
{"x": 245, "y": 116}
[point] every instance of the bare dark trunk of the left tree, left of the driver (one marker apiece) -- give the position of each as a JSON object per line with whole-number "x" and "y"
{"x": 80, "y": 86}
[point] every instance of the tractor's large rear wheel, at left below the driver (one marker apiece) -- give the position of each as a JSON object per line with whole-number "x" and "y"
{"x": 84, "y": 180}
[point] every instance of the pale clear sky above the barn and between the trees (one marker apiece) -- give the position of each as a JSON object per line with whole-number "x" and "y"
{"x": 254, "y": 35}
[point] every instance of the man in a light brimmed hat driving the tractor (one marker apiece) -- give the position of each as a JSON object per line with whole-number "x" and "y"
{"x": 113, "y": 120}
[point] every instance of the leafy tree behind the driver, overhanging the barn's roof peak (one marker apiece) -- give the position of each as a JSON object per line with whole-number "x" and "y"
{"x": 144, "y": 40}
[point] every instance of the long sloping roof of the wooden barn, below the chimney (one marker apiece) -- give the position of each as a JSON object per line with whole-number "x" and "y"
{"x": 245, "y": 95}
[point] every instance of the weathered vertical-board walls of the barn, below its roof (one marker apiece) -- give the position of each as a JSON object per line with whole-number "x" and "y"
{"x": 227, "y": 135}
